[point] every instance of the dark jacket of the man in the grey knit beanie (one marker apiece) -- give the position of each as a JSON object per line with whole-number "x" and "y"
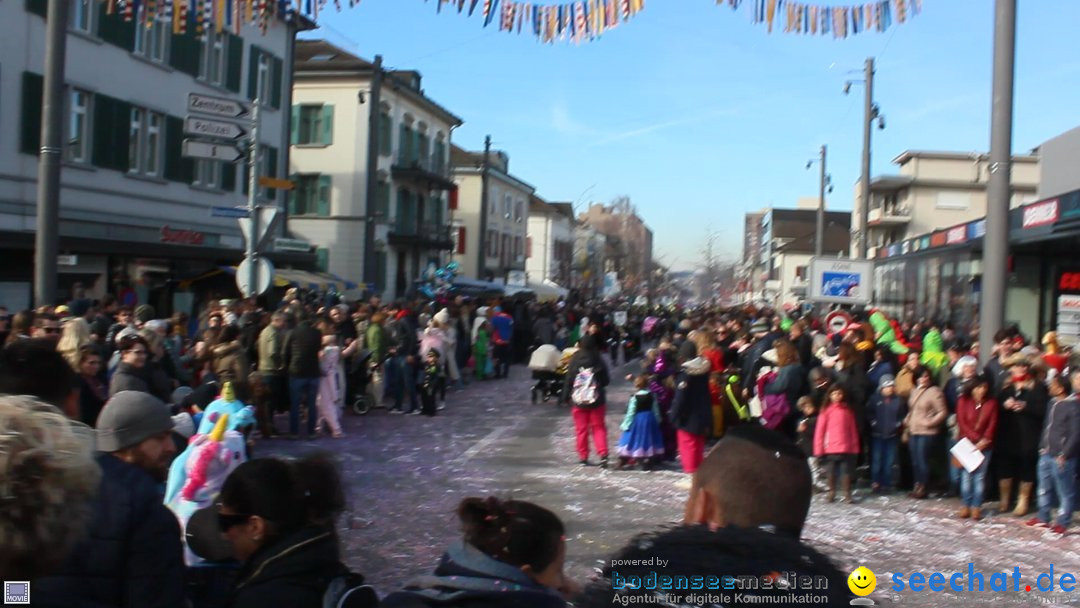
{"x": 132, "y": 558}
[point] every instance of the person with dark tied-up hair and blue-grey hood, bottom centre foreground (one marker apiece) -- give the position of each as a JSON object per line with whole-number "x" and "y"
{"x": 512, "y": 555}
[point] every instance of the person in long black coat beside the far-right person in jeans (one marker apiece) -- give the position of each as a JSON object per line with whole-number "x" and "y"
{"x": 1023, "y": 409}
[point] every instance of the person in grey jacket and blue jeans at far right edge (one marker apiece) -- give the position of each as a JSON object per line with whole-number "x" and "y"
{"x": 1059, "y": 454}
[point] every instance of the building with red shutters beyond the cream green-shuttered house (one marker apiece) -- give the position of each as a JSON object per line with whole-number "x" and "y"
{"x": 490, "y": 242}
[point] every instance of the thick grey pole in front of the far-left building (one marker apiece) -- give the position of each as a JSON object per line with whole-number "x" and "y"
{"x": 47, "y": 239}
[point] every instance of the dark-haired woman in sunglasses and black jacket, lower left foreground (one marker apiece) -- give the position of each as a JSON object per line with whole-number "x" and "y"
{"x": 279, "y": 518}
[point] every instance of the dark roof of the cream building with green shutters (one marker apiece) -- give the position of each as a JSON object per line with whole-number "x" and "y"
{"x": 319, "y": 59}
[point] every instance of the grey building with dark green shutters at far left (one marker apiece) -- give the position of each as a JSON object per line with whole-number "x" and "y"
{"x": 134, "y": 213}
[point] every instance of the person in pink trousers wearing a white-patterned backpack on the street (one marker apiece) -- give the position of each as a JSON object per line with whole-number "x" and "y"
{"x": 585, "y": 389}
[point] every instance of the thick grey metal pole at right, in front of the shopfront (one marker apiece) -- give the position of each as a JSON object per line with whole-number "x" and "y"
{"x": 992, "y": 305}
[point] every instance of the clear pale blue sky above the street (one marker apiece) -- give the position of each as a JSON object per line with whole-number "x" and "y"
{"x": 700, "y": 116}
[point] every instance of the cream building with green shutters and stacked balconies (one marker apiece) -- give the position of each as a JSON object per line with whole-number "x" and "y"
{"x": 332, "y": 146}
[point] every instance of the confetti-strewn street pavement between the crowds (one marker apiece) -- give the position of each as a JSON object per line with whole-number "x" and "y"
{"x": 407, "y": 475}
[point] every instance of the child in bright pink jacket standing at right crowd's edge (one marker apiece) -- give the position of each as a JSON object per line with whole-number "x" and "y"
{"x": 836, "y": 442}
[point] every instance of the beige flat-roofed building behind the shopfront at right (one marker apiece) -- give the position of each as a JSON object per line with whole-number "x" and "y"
{"x": 935, "y": 191}
